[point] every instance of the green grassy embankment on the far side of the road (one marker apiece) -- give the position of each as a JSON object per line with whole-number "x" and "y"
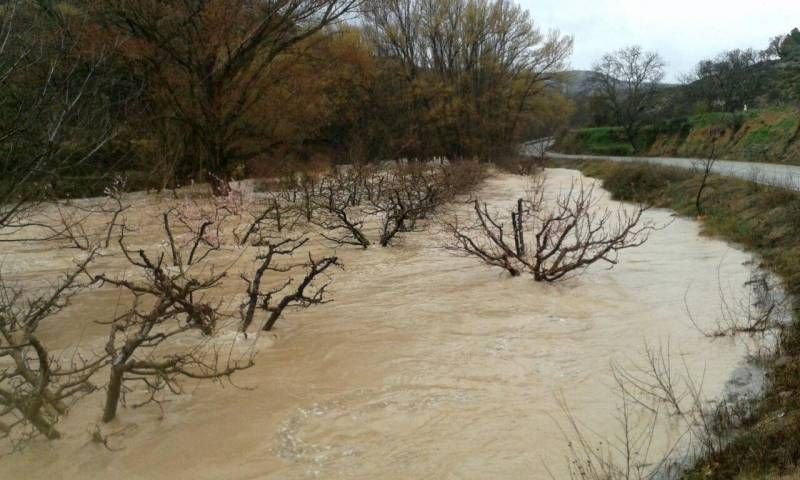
{"x": 771, "y": 135}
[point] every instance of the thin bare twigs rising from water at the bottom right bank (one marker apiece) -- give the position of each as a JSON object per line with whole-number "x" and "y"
{"x": 698, "y": 425}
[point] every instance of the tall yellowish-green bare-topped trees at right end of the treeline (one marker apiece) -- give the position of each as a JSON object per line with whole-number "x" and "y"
{"x": 471, "y": 70}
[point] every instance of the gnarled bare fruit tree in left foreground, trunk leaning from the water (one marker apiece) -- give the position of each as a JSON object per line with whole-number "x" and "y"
{"x": 169, "y": 301}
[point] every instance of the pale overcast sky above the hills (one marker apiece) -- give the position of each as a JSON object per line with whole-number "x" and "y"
{"x": 682, "y": 31}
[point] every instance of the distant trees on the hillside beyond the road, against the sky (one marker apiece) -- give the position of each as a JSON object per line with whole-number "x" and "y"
{"x": 626, "y": 87}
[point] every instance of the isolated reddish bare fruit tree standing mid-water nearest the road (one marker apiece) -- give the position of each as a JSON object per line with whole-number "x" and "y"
{"x": 550, "y": 238}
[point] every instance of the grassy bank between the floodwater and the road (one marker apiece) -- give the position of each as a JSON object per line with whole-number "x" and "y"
{"x": 765, "y": 221}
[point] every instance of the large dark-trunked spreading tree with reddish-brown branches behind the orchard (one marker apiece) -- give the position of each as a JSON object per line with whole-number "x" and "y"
{"x": 203, "y": 60}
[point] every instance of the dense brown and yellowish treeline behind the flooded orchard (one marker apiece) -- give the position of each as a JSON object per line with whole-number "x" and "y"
{"x": 179, "y": 90}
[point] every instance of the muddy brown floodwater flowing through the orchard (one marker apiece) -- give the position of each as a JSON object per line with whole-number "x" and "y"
{"x": 425, "y": 365}
